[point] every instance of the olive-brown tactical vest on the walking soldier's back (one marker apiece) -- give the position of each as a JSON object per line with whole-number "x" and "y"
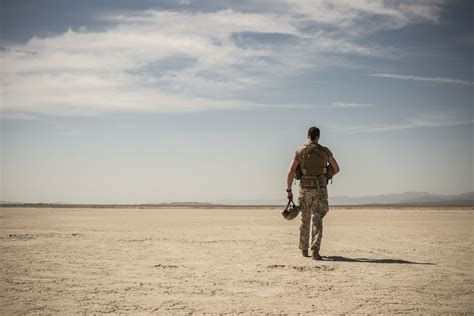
{"x": 313, "y": 160}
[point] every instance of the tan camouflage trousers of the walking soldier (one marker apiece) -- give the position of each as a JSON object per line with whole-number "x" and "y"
{"x": 313, "y": 205}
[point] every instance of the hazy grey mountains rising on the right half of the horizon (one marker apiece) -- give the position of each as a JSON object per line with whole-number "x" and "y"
{"x": 406, "y": 198}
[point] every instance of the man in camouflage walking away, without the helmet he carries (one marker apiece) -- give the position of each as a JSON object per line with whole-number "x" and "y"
{"x": 313, "y": 159}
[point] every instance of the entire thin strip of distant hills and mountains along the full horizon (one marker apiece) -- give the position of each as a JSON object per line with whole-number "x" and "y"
{"x": 406, "y": 198}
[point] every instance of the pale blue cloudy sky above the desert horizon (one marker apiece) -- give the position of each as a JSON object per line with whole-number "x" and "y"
{"x": 158, "y": 101}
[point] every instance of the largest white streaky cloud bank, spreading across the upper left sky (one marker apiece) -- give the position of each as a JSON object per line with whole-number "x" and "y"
{"x": 181, "y": 61}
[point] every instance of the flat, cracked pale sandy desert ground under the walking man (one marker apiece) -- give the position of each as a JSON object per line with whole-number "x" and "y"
{"x": 234, "y": 260}
